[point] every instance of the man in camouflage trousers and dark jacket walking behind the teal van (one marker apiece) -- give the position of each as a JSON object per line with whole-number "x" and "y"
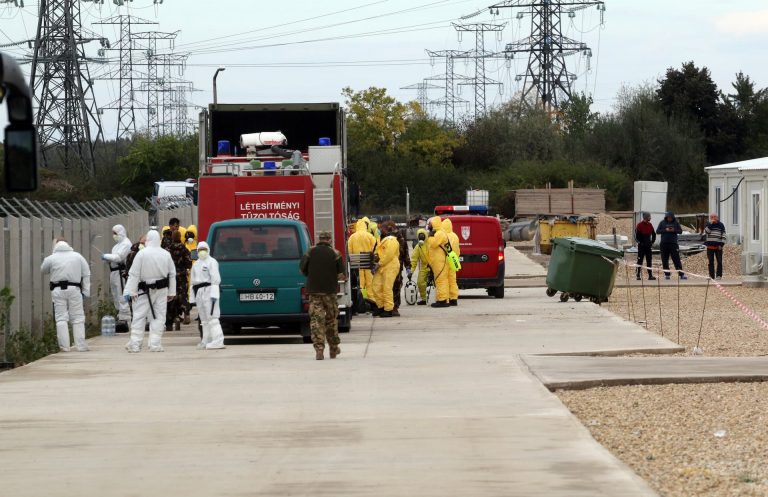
{"x": 324, "y": 268}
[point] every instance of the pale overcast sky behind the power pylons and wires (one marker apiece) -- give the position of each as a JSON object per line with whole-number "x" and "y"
{"x": 307, "y": 51}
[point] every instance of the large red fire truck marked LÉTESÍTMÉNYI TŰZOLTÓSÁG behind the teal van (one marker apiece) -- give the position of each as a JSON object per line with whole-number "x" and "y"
{"x": 293, "y": 167}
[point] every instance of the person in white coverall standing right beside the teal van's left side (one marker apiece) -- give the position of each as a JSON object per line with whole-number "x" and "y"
{"x": 204, "y": 293}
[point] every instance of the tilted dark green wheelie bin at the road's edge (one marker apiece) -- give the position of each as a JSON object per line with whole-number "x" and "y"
{"x": 578, "y": 268}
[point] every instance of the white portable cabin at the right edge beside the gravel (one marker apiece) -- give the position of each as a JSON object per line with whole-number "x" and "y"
{"x": 745, "y": 213}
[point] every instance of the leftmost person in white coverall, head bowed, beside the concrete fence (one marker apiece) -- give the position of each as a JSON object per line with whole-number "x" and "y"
{"x": 70, "y": 279}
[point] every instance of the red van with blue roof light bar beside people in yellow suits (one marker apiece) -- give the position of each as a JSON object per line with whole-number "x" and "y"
{"x": 482, "y": 249}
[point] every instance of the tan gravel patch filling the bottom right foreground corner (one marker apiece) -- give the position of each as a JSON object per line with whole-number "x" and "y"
{"x": 684, "y": 440}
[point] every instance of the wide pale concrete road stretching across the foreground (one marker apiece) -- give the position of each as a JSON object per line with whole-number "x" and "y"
{"x": 436, "y": 403}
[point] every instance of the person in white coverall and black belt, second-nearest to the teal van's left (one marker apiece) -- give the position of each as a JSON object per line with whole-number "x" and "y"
{"x": 151, "y": 284}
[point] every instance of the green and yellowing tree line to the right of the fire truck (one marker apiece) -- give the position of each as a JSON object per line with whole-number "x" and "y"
{"x": 667, "y": 131}
